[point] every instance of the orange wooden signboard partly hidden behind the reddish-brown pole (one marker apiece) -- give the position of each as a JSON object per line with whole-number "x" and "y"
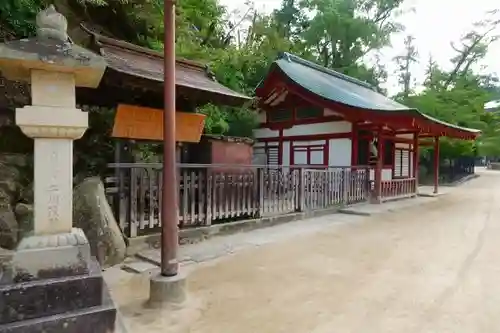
{"x": 140, "y": 123}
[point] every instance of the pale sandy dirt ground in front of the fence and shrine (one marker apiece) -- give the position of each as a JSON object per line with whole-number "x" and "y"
{"x": 429, "y": 268}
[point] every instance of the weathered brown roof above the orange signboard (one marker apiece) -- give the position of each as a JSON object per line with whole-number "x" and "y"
{"x": 143, "y": 63}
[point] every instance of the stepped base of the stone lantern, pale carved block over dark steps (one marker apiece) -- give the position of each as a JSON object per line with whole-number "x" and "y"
{"x": 55, "y": 286}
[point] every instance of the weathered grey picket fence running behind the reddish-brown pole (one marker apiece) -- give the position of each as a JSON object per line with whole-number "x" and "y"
{"x": 217, "y": 194}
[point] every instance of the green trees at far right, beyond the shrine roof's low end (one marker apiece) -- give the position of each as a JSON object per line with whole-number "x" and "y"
{"x": 458, "y": 96}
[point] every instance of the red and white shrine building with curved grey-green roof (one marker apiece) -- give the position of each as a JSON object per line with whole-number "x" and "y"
{"x": 314, "y": 117}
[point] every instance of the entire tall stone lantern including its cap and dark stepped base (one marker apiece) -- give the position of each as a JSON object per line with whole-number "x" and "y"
{"x": 53, "y": 284}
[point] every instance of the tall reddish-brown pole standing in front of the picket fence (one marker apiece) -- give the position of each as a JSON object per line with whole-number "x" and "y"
{"x": 169, "y": 214}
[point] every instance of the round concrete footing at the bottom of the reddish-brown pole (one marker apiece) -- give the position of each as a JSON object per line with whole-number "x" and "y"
{"x": 165, "y": 290}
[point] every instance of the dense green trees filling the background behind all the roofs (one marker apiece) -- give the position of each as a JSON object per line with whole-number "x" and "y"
{"x": 338, "y": 34}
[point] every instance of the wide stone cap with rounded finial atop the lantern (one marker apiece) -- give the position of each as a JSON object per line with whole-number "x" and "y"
{"x": 51, "y": 50}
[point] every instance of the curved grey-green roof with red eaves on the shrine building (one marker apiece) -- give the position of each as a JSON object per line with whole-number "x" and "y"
{"x": 356, "y": 100}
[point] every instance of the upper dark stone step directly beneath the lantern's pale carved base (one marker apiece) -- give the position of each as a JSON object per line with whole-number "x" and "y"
{"x": 37, "y": 299}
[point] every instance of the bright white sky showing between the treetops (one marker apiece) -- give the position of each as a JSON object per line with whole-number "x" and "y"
{"x": 433, "y": 23}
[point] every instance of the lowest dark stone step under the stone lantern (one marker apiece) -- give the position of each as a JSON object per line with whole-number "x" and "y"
{"x": 96, "y": 319}
